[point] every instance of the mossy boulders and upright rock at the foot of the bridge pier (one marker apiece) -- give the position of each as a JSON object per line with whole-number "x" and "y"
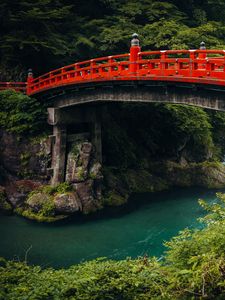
{"x": 81, "y": 193}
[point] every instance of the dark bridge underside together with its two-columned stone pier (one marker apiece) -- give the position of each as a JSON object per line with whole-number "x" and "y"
{"x": 77, "y": 105}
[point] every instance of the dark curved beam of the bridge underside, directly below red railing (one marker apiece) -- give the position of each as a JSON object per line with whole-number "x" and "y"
{"x": 205, "y": 96}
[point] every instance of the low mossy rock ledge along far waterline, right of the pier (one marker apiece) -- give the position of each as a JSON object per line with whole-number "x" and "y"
{"x": 160, "y": 176}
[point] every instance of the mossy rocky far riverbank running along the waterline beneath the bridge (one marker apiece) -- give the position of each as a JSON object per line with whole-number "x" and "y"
{"x": 50, "y": 204}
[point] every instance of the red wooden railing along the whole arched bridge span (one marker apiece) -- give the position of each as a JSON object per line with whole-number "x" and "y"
{"x": 184, "y": 65}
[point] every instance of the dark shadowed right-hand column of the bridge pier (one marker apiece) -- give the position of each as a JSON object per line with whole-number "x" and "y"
{"x": 97, "y": 135}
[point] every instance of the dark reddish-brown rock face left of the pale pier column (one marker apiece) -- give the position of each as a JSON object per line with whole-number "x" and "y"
{"x": 22, "y": 158}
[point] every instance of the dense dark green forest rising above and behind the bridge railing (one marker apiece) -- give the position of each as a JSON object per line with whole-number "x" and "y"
{"x": 50, "y": 33}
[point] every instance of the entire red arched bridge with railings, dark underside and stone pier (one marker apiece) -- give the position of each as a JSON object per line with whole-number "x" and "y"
{"x": 193, "y": 77}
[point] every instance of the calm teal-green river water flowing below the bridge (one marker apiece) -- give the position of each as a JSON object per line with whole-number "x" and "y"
{"x": 137, "y": 229}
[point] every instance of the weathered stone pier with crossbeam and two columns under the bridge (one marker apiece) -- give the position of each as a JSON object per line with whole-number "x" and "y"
{"x": 60, "y": 119}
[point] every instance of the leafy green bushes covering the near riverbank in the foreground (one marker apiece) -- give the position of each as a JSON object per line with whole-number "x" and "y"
{"x": 193, "y": 265}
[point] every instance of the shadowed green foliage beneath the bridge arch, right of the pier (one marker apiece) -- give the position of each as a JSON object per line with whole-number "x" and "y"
{"x": 161, "y": 131}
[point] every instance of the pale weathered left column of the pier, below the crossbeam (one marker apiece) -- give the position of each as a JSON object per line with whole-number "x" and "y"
{"x": 59, "y": 154}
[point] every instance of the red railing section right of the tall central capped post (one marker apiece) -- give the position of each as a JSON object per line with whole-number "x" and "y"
{"x": 187, "y": 63}
